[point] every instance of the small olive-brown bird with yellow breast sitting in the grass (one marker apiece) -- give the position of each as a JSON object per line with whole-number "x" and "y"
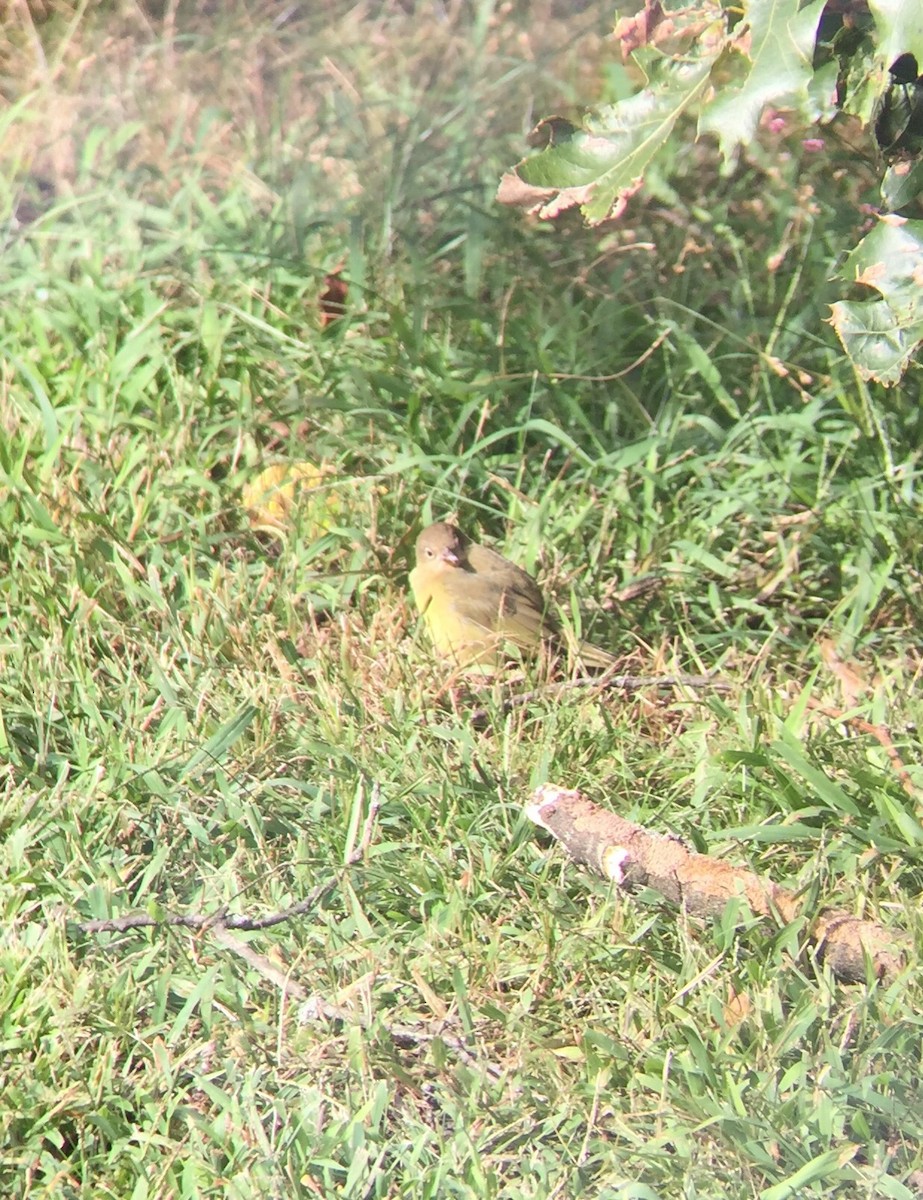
{"x": 475, "y": 601}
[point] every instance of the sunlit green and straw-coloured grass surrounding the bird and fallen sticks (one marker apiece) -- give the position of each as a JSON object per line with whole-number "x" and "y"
{"x": 197, "y": 717}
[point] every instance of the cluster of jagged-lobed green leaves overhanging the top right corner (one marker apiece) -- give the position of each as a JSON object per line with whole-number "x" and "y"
{"x": 728, "y": 67}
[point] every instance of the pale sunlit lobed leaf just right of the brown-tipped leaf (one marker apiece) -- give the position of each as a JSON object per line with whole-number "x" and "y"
{"x": 777, "y": 69}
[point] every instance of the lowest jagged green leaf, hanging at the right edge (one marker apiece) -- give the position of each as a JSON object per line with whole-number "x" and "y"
{"x": 882, "y": 337}
